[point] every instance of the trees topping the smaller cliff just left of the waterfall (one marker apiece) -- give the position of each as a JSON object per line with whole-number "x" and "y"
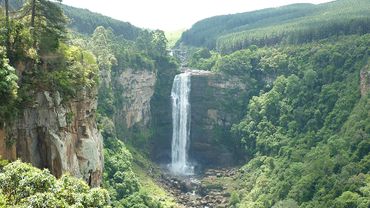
{"x": 115, "y": 53}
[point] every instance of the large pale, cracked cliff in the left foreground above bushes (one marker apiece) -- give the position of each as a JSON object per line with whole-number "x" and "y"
{"x": 62, "y": 136}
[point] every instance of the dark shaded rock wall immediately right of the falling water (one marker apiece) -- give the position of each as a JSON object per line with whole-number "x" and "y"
{"x": 216, "y": 103}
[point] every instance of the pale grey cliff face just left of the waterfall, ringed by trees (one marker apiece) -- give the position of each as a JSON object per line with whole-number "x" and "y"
{"x": 133, "y": 90}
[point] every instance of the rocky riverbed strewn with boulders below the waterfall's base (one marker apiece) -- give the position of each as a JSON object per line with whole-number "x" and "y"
{"x": 211, "y": 189}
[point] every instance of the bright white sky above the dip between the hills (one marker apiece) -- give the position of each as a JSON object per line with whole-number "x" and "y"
{"x": 171, "y": 15}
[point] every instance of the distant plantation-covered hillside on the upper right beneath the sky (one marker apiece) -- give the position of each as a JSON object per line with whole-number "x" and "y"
{"x": 298, "y": 23}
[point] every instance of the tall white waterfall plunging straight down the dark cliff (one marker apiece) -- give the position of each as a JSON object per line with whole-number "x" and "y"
{"x": 181, "y": 124}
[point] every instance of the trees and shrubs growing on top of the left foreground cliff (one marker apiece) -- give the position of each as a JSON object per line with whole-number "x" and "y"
{"x": 43, "y": 60}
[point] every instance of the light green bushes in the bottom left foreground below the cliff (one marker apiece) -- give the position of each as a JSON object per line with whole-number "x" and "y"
{"x": 22, "y": 185}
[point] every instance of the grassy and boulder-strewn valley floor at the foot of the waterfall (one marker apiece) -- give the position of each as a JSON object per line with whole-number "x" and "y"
{"x": 212, "y": 188}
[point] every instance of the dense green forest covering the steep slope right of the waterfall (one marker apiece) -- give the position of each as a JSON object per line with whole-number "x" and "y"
{"x": 308, "y": 131}
